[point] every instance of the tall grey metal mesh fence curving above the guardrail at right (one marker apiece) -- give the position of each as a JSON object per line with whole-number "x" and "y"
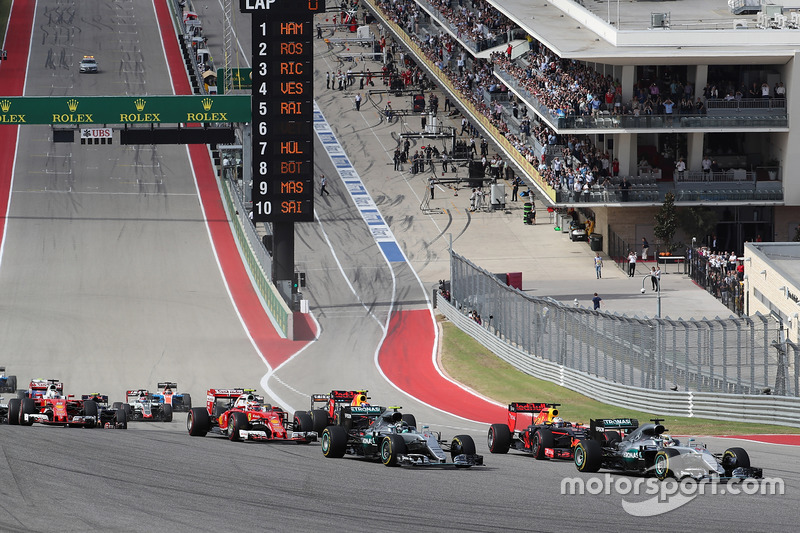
{"x": 746, "y": 355}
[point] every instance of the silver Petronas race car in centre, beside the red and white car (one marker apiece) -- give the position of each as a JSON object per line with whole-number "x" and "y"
{"x": 374, "y": 432}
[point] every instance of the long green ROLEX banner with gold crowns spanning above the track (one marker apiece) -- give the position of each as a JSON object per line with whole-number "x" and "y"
{"x": 124, "y": 109}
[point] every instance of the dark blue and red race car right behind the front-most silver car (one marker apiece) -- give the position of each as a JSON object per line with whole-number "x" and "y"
{"x": 537, "y": 429}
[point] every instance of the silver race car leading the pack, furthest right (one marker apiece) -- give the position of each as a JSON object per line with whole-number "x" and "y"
{"x": 645, "y": 449}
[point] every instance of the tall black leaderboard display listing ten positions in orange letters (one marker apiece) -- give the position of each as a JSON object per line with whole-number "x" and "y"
{"x": 282, "y": 127}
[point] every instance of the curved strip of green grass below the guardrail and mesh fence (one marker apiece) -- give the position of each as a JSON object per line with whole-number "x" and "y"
{"x": 468, "y": 362}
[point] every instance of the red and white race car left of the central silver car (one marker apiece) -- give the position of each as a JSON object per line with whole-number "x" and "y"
{"x": 239, "y": 414}
